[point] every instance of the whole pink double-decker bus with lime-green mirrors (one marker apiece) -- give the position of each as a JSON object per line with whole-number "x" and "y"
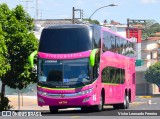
{"x": 85, "y": 66}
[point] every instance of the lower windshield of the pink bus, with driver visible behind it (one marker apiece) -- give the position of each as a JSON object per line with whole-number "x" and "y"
{"x": 71, "y": 73}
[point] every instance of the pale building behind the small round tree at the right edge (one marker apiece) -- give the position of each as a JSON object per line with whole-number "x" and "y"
{"x": 150, "y": 48}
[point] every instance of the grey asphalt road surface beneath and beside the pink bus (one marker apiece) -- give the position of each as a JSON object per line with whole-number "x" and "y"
{"x": 149, "y": 105}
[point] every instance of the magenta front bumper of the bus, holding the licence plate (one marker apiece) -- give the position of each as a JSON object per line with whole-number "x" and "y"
{"x": 83, "y": 100}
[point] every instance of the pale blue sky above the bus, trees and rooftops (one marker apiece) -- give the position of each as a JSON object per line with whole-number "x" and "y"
{"x": 62, "y": 9}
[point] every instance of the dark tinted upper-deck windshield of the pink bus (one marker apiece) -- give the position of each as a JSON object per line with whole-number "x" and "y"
{"x": 65, "y": 40}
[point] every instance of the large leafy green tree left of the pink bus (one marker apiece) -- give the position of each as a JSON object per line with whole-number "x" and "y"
{"x": 19, "y": 42}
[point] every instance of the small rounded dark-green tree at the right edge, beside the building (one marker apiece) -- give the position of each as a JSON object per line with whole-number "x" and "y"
{"x": 152, "y": 75}
